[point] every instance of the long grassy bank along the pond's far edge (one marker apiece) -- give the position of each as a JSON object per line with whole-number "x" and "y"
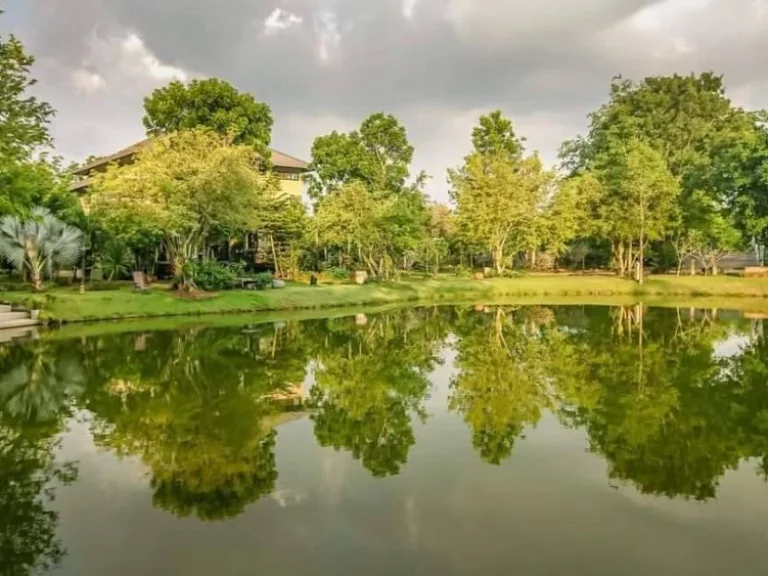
{"x": 67, "y": 305}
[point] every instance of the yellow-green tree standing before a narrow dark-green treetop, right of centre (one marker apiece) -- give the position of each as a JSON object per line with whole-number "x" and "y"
{"x": 497, "y": 198}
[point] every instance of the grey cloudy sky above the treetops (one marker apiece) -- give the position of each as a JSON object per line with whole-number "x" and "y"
{"x": 326, "y": 64}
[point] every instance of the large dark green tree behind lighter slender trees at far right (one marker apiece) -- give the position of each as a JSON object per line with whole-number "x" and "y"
{"x": 707, "y": 144}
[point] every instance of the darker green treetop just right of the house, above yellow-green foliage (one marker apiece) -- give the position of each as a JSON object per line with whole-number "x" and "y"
{"x": 377, "y": 155}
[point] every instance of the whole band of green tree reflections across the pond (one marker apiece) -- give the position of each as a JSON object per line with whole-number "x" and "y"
{"x": 201, "y": 408}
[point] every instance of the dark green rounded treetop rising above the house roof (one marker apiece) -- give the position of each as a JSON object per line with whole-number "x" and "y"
{"x": 210, "y": 103}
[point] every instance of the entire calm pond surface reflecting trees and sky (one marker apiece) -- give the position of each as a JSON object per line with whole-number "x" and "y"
{"x": 426, "y": 441}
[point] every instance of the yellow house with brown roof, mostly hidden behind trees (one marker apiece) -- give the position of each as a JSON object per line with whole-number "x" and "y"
{"x": 288, "y": 168}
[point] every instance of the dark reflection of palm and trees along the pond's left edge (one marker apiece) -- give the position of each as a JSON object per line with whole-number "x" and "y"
{"x": 39, "y": 382}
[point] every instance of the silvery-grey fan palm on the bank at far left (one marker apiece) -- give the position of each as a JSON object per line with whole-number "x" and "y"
{"x": 39, "y": 243}
